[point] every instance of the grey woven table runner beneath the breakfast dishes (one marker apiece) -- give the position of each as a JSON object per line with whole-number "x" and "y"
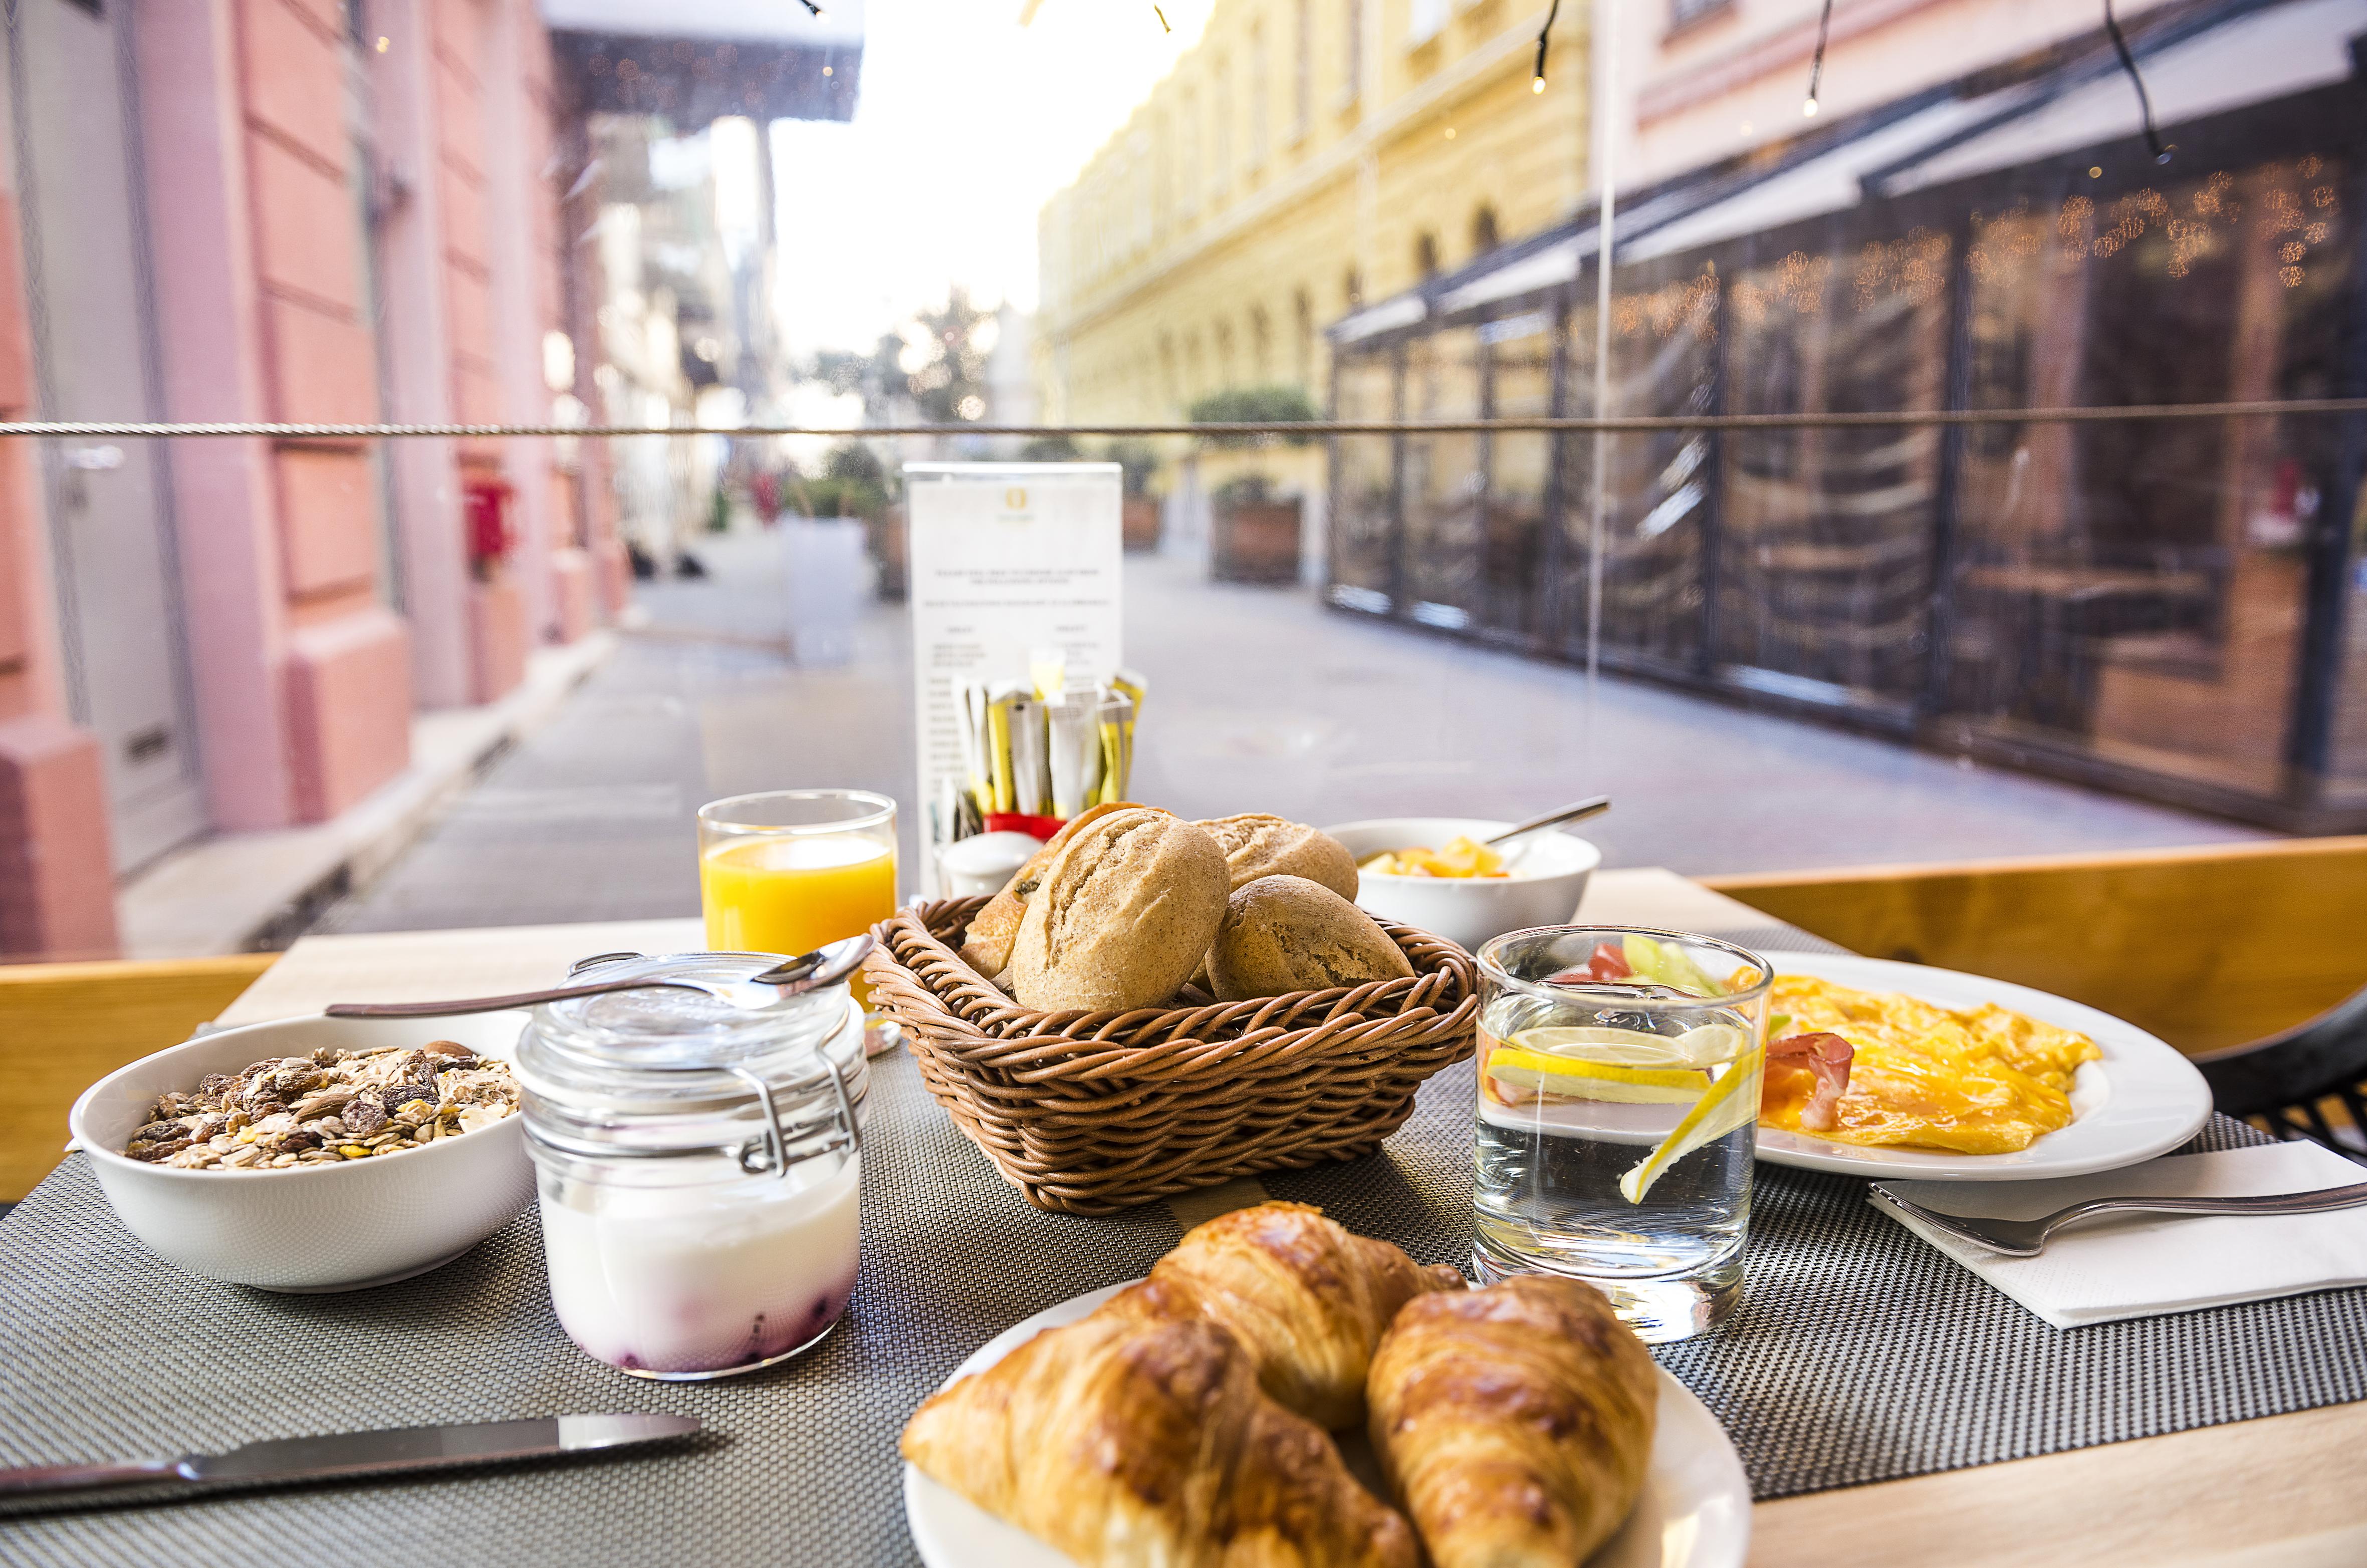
{"x": 1859, "y": 1356}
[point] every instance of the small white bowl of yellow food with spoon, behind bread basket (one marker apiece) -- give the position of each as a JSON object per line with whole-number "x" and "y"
{"x": 1547, "y": 890}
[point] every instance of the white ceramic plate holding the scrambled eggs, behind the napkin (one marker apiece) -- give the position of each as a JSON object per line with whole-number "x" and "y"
{"x": 2141, "y": 1101}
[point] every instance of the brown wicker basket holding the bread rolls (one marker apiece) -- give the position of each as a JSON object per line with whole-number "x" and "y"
{"x": 1092, "y": 1113}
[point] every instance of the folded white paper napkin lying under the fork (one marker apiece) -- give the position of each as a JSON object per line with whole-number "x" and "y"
{"x": 2158, "y": 1264}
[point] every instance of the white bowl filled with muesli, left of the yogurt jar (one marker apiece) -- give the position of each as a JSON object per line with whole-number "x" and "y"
{"x": 309, "y": 1229}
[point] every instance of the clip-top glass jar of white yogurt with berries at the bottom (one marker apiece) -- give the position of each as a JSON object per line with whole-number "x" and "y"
{"x": 699, "y": 1165}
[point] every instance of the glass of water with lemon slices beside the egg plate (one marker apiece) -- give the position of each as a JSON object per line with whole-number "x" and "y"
{"x": 1618, "y": 1117}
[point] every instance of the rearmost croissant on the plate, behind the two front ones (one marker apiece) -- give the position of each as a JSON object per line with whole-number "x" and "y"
{"x": 1303, "y": 1297}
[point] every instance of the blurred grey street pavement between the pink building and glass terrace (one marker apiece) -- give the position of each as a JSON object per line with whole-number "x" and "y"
{"x": 1260, "y": 701}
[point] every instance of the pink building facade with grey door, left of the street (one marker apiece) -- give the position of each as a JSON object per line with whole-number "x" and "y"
{"x": 328, "y": 221}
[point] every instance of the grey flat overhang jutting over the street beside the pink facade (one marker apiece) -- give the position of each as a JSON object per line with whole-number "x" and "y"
{"x": 699, "y": 60}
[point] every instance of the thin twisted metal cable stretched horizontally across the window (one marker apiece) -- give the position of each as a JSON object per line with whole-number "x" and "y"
{"x": 127, "y": 429}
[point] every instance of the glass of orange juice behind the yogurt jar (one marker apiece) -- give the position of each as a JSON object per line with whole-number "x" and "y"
{"x": 792, "y": 895}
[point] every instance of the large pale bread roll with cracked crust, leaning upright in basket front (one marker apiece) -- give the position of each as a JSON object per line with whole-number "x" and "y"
{"x": 1121, "y": 916}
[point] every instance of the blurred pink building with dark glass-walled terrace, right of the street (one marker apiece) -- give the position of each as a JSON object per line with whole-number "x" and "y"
{"x": 2155, "y": 607}
